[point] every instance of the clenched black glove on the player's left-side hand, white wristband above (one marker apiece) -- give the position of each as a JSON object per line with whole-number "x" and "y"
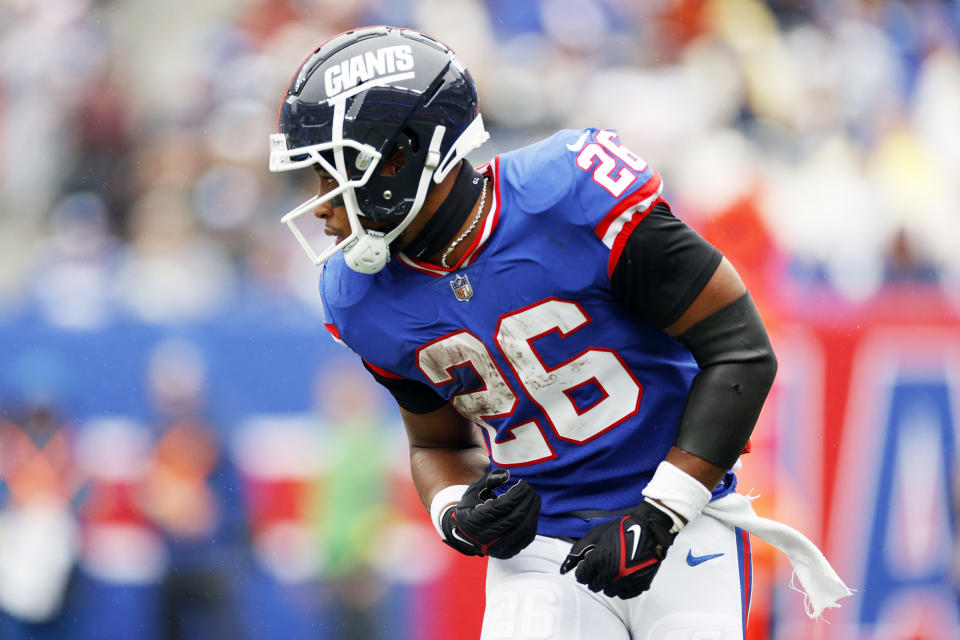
{"x": 483, "y": 523}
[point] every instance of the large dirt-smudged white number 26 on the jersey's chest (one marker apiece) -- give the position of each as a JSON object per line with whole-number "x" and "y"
{"x": 550, "y": 388}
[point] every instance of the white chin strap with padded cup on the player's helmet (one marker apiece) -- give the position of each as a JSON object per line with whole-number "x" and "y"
{"x": 370, "y": 252}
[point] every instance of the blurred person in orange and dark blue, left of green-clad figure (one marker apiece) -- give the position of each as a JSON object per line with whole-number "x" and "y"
{"x": 190, "y": 493}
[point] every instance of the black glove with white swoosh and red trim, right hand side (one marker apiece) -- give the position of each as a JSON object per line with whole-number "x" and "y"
{"x": 621, "y": 557}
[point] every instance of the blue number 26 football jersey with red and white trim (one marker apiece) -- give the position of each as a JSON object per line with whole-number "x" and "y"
{"x": 525, "y": 336}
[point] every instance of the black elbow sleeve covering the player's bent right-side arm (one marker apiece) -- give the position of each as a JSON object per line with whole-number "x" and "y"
{"x": 737, "y": 367}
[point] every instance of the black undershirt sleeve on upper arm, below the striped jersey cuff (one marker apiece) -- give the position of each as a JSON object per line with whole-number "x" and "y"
{"x": 664, "y": 266}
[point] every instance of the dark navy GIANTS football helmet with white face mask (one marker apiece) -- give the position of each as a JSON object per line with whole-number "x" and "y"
{"x": 362, "y": 97}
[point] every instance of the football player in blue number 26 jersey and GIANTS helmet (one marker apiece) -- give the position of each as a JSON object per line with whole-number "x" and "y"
{"x": 577, "y": 370}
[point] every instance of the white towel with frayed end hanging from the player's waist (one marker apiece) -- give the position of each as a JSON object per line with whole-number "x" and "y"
{"x": 819, "y": 583}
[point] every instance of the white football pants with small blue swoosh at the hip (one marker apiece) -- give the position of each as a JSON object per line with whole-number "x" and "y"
{"x": 702, "y": 592}
